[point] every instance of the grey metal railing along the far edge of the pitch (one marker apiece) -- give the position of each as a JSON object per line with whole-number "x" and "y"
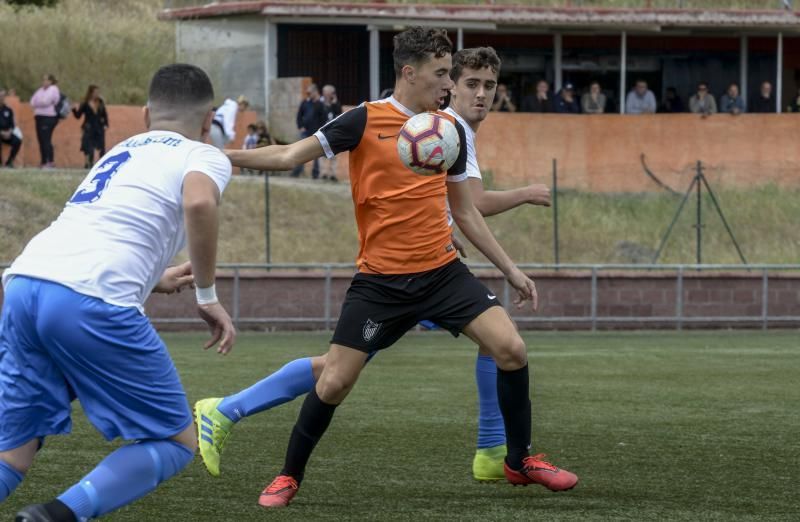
{"x": 327, "y": 271}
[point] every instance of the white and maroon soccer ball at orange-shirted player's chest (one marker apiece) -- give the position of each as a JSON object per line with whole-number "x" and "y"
{"x": 428, "y": 144}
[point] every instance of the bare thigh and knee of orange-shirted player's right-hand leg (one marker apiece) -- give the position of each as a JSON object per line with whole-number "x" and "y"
{"x": 494, "y": 331}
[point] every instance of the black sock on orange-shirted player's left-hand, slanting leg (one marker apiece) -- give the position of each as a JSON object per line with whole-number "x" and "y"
{"x": 314, "y": 418}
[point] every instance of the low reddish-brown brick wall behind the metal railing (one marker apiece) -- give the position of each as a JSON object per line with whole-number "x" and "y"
{"x": 281, "y": 296}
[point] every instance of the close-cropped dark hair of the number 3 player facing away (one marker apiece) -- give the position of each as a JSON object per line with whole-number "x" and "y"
{"x": 180, "y": 85}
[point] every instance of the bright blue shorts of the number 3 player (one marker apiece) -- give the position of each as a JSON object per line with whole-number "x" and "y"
{"x": 57, "y": 344}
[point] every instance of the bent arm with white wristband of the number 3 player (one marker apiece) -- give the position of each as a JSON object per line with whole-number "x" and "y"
{"x": 200, "y": 209}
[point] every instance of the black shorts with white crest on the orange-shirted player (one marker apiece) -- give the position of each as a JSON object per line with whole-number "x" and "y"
{"x": 379, "y": 309}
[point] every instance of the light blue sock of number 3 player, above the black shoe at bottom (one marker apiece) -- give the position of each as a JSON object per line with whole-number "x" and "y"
{"x": 126, "y": 475}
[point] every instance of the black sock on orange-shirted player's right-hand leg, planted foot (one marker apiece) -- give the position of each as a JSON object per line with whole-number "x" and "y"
{"x": 515, "y": 405}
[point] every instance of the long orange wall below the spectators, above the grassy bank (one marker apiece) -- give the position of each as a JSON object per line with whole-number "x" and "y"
{"x": 600, "y": 153}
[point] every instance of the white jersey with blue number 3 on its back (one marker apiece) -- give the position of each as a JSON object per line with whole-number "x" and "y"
{"x": 124, "y": 224}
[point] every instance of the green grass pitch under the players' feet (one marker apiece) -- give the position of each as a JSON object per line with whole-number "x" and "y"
{"x": 659, "y": 426}
